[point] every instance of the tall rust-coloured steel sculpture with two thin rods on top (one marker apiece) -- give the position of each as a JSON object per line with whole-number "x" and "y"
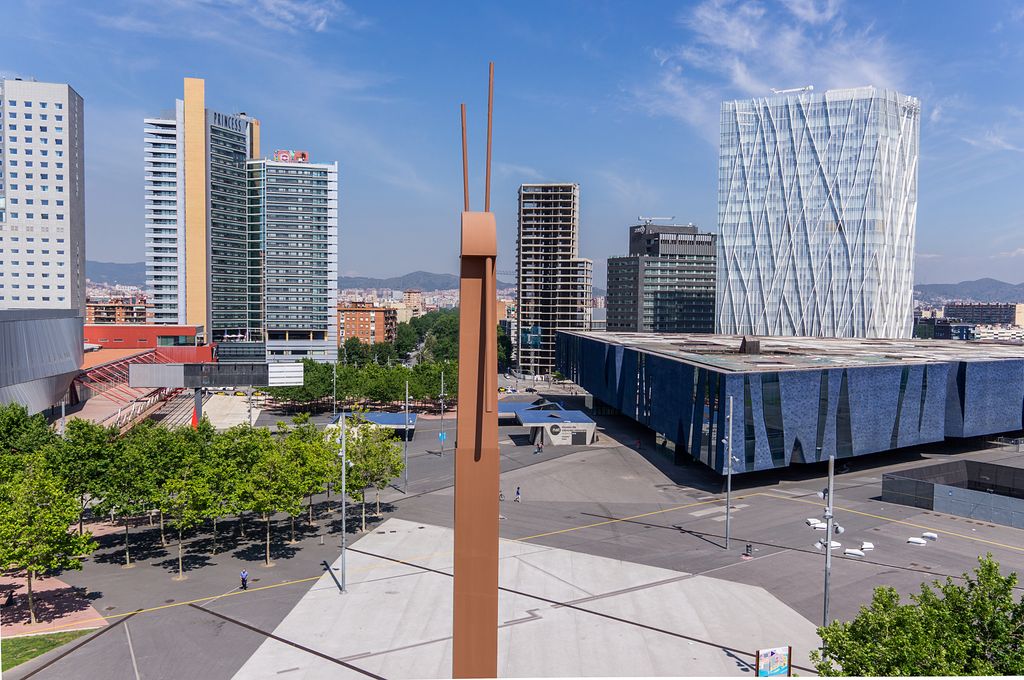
{"x": 475, "y": 652}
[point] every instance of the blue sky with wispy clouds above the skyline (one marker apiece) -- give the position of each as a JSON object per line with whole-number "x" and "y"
{"x": 622, "y": 98}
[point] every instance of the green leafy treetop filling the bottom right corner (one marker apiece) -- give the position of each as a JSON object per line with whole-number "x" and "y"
{"x": 974, "y": 628}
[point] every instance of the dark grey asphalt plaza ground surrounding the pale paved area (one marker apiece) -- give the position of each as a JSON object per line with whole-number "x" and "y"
{"x": 659, "y": 515}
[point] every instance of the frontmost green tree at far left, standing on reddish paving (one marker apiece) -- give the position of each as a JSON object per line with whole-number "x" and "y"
{"x": 35, "y": 515}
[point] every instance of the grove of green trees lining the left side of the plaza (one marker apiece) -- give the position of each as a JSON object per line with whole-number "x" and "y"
{"x": 187, "y": 477}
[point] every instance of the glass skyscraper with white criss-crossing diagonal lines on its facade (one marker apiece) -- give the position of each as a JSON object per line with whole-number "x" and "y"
{"x": 818, "y": 204}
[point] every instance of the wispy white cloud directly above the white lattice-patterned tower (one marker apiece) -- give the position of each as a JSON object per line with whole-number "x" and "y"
{"x": 739, "y": 49}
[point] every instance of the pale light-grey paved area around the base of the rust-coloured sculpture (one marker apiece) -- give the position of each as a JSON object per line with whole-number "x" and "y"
{"x": 562, "y": 613}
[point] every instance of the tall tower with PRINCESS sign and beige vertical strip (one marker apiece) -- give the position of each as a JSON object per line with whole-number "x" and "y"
{"x": 196, "y": 223}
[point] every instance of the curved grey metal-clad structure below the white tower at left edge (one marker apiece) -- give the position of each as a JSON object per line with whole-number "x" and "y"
{"x": 40, "y": 355}
